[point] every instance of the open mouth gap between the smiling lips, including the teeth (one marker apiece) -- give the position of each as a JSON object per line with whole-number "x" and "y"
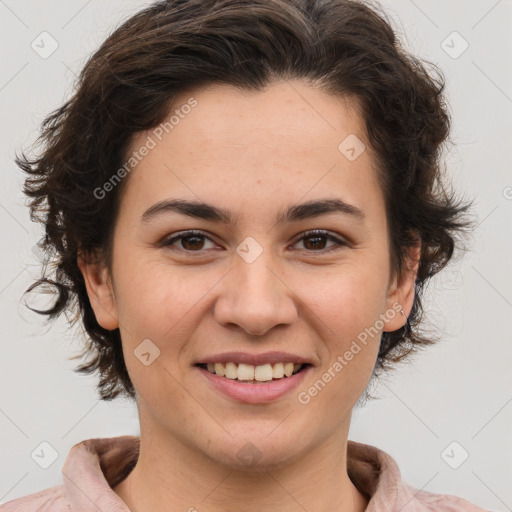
{"x": 254, "y": 374}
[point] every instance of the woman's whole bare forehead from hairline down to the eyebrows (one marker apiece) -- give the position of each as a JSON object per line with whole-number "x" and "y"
{"x": 279, "y": 144}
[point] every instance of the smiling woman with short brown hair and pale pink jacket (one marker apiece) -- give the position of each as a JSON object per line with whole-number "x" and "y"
{"x": 242, "y": 199}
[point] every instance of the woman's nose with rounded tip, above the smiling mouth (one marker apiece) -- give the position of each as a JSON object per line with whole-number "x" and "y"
{"x": 255, "y": 297}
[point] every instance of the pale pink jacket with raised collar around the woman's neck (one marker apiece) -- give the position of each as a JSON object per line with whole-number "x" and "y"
{"x": 93, "y": 467}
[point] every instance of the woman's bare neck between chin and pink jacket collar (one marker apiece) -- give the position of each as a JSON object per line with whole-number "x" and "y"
{"x": 170, "y": 475}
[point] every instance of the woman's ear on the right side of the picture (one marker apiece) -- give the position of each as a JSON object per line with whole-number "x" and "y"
{"x": 401, "y": 291}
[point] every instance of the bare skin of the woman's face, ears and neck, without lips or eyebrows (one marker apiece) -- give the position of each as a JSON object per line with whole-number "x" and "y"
{"x": 253, "y": 154}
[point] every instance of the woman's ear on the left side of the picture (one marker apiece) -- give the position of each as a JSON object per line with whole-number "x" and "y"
{"x": 99, "y": 289}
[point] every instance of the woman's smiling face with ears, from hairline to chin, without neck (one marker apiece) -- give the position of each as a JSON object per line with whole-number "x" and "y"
{"x": 251, "y": 285}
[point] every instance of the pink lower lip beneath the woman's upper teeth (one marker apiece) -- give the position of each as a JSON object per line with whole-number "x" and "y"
{"x": 263, "y": 392}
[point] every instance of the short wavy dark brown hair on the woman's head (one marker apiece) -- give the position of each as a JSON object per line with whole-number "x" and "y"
{"x": 348, "y": 48}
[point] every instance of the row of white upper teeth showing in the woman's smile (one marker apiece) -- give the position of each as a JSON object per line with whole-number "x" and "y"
{"x": 249, "y": 372}
